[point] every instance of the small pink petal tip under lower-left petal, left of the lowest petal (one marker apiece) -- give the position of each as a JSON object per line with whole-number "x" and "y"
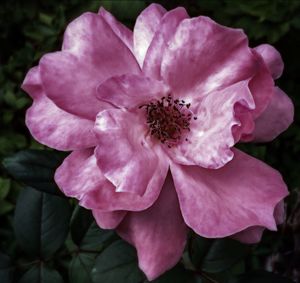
{"x": 108, "y": 220}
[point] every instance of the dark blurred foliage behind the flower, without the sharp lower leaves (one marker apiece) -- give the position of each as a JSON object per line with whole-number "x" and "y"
{"x": 29, "y": 29}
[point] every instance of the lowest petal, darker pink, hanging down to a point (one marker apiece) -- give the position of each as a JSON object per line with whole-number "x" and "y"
{"x": 158, "y": 233}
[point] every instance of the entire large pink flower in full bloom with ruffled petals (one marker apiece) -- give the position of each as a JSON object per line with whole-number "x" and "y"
{"x": 152, "y": 117}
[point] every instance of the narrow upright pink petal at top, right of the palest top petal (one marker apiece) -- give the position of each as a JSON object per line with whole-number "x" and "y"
{"x": 161, "y": 40}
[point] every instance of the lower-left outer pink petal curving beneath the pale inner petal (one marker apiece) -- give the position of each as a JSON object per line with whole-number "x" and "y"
{"x": 80, "y": 177}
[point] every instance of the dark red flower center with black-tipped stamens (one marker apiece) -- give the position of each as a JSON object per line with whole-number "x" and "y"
{"x": 168, "y": 119}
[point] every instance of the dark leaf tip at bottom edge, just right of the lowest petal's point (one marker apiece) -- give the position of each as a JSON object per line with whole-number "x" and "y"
{"x": 177, "y": 275}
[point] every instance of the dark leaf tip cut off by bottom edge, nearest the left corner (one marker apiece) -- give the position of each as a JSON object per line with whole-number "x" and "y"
{"x": 41, "y": 274}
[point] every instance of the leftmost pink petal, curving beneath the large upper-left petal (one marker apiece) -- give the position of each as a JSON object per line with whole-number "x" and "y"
{"x": 52, "y": 126}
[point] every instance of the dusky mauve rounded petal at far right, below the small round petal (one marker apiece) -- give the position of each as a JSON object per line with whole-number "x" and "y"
{"x": 275, "y": 119}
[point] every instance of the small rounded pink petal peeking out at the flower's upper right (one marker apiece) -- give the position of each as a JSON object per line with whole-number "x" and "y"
{"x": 272, "y": 58}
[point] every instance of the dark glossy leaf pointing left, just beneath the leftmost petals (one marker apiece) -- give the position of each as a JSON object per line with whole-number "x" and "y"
{"x": 35, "y": 168}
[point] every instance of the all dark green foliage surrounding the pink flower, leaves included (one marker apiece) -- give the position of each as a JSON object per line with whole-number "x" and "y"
{"x": 29, "y": 29}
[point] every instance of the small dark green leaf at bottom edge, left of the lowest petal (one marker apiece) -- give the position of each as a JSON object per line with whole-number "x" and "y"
{"x": 80, "y": 268}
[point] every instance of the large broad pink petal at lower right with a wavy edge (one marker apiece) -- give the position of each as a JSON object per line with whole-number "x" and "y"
{"x": 220, "y": 203}
